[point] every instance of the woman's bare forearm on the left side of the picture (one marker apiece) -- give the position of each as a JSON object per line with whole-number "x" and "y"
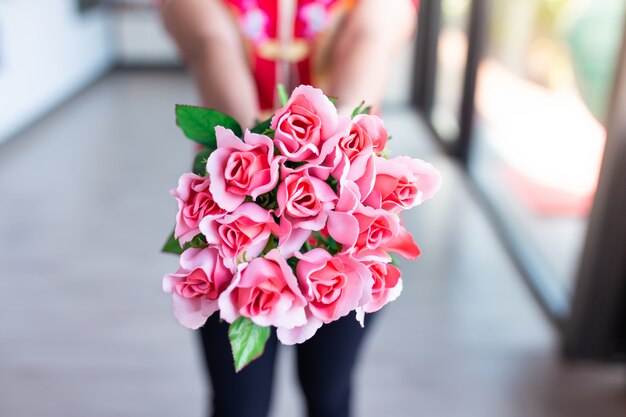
{"x": 209, "y": 42}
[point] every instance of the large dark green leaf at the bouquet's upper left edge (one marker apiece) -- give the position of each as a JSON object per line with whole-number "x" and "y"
{"x": 198, "y": 124}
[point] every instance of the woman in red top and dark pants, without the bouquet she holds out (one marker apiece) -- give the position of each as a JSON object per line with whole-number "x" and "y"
{"x": 238, "y": 51}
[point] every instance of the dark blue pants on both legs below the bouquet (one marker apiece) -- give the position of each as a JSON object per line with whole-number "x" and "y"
{"x": 325, "y": 368}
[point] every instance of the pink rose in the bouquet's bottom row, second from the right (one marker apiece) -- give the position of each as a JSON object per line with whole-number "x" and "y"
{"x": 333, "y": 285}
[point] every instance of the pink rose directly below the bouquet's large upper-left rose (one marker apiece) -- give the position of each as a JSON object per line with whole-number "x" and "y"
{"x": 247, "y": 229}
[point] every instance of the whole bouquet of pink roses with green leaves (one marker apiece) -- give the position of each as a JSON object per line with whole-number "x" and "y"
{"x": 291, "y": 224}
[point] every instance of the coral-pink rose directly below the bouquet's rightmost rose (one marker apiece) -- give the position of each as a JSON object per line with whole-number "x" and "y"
{"x": 368, "y": 234}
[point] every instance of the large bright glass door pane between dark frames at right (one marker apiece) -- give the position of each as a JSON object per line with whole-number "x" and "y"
{"x": 543, "y": 88}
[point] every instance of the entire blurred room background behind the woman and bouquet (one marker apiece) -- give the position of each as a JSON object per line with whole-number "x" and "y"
{"x": 517, "y": 306}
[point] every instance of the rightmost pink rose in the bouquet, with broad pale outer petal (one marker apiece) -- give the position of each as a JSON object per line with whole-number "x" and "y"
{"x": 402, "y": 183}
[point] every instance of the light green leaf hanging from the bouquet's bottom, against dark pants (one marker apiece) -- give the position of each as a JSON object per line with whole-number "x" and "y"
{"x": 247, "y": 341}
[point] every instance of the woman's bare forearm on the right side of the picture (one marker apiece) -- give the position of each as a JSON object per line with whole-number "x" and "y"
{"x": 374, "y": 32}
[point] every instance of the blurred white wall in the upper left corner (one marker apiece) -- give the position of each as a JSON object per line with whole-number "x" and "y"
{"x": 47, "y": 52}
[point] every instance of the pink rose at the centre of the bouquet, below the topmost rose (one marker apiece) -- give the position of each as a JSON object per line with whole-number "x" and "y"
{"x": 304, "y": 200}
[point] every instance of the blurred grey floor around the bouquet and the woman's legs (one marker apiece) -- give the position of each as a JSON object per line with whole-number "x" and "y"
{"x": 86, "y": 331}
